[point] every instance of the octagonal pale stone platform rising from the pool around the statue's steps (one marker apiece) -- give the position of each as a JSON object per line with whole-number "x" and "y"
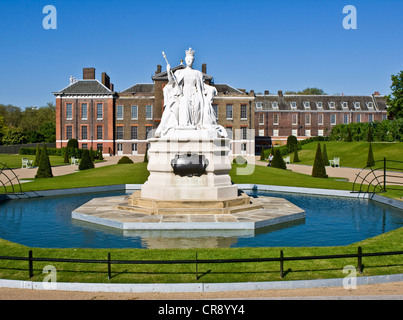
{"x": 111, "y": 212}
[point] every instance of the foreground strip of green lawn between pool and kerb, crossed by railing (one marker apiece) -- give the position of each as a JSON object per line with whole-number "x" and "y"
{"x": 175, "y": 273}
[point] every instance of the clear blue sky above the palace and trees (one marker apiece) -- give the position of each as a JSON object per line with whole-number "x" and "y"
{"x": 259, "y": 45}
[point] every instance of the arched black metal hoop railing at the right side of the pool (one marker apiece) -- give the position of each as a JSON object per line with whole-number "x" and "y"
{"x": 384, "y": 175}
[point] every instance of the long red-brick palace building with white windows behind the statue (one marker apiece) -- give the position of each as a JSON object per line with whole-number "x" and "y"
{"x": 120, "y": 122}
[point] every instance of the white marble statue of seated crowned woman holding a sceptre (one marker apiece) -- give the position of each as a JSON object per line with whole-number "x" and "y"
{"x": 188, "y": 101}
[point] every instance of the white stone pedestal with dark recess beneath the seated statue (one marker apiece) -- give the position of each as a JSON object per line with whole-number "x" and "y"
{"x": 214, "y": 184}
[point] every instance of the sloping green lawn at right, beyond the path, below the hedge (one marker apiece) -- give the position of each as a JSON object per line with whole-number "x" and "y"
{"x": 352, "y": 154}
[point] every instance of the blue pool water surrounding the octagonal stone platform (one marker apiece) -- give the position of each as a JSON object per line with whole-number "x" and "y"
{"x": 330, "y": 221}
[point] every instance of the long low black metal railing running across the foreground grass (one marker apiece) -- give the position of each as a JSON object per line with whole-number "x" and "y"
{"x": 281, "y": 259}
